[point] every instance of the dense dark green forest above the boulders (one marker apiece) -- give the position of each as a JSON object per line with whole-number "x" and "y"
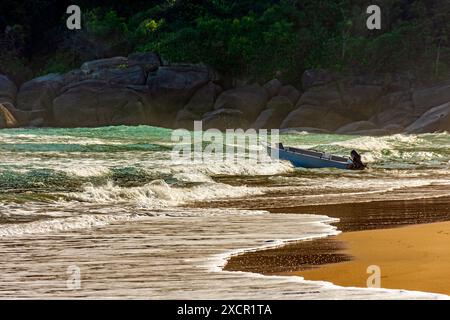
{"x": 243, "y": 38}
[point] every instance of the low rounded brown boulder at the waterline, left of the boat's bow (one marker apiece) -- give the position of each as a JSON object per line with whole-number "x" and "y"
{"x": 223, "y": 119}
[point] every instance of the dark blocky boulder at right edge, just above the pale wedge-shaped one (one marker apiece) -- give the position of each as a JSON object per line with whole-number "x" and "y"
{"x": 425, "y": 99}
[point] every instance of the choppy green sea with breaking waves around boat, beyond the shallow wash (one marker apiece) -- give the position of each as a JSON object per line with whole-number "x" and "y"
{"x": 68, "y": 164}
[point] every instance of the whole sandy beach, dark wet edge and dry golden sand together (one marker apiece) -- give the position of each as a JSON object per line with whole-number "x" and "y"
{"x": 371, "y": 236}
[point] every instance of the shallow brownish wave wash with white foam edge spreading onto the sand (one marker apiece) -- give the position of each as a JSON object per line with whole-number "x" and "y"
{"x": 183, "y": 240}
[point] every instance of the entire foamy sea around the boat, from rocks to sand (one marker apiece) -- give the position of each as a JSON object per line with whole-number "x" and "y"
{"x": 113, "y": 204}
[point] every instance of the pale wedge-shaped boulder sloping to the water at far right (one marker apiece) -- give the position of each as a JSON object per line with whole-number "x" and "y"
{"x": 436, "y": 119}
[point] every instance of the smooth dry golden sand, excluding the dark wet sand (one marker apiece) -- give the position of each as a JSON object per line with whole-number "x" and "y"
{"x": 413, "y": 258}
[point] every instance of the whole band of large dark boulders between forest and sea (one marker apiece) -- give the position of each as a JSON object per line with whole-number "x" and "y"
{"x": 141, "y": 89}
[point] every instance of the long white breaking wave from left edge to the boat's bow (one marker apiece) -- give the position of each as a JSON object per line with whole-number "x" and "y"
{"x": 87, "y": 165}
